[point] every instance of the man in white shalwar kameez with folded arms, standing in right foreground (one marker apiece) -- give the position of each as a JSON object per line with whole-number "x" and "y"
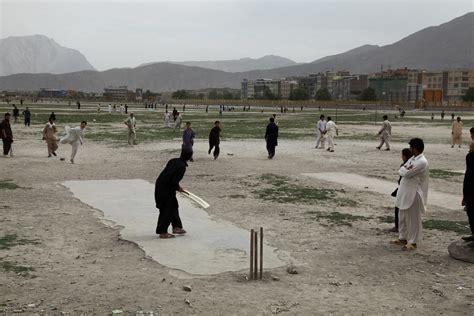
{"x": 412, "y": 196}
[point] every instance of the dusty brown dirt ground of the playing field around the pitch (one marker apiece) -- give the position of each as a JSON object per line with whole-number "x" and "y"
{"x": 83, "y": 266}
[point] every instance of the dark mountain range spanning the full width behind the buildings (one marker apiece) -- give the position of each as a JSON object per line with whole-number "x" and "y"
{"x": 447, "y": 46}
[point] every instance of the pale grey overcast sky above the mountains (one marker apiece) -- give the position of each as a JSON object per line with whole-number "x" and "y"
{"x": 128, "y": 33}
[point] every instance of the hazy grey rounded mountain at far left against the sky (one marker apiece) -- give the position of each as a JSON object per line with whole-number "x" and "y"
{"x": 38, "y": 54}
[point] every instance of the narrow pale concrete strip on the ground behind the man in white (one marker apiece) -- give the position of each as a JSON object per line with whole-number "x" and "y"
{"x": 445, "y": 200}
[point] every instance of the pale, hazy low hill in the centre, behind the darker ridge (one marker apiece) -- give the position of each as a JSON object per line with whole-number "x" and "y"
{"x": 239, "y": 65}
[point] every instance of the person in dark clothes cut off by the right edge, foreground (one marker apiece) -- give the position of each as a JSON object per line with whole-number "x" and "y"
{"x": 468, "y": 188}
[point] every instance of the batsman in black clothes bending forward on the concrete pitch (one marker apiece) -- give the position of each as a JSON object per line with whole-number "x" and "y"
{"x": 165, "y": 195}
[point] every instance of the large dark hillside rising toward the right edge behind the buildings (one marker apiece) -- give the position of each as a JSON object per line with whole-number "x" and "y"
{"x": 447, "y": 46}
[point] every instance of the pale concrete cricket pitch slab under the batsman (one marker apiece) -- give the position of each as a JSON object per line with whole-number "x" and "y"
{"x": 210, "y": 247}
